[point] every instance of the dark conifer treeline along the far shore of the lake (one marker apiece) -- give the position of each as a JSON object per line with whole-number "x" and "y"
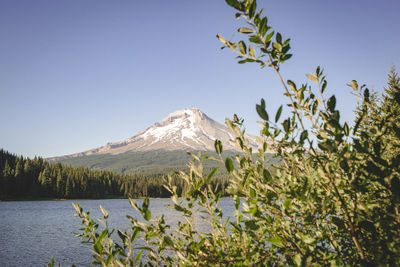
{"x": 36, "y": 178}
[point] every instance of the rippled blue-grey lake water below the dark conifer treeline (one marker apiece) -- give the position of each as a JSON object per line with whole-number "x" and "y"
{"x": 31, "y": 232}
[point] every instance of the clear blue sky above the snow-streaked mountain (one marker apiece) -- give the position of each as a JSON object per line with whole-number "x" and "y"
{"x": 76, "y": 74}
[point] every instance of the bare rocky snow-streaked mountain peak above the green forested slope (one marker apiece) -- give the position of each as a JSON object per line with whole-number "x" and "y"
{"x": 187, "y": 129}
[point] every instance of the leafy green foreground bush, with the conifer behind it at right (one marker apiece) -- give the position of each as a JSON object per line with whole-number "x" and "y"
{"x": 333, "y": 200}
